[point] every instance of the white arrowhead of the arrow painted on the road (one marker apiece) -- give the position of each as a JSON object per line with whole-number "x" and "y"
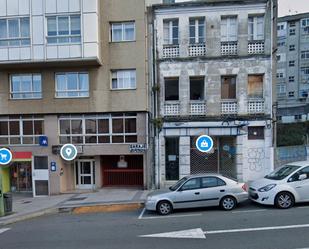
{"x": 185, "y": 234}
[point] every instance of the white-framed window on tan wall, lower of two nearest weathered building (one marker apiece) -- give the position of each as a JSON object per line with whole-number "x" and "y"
{"x": 123, "y": 79}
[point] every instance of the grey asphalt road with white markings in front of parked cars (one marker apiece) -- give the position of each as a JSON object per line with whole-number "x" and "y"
{"x": 247, "y": 227}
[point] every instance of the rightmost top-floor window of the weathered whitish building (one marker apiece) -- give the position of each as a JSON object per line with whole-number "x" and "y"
{"x": 255, "y": 28}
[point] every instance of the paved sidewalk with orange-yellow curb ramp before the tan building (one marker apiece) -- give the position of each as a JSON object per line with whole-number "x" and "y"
{"x": 107, "y": 199}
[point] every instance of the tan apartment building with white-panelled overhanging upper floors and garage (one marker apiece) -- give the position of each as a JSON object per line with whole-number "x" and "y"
{"x": 73, "y": 71}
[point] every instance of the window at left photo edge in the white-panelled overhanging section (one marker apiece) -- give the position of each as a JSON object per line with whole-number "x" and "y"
{"x": 15, "y": 32}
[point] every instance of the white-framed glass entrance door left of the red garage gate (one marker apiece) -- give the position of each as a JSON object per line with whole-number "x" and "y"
{"x": 85, "y": 174}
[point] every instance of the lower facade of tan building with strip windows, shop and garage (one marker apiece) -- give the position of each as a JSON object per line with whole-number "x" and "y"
{"x": 112, "y": 151}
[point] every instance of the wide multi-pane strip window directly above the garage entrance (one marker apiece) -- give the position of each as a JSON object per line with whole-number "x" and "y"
{"x": 98, "y": 129}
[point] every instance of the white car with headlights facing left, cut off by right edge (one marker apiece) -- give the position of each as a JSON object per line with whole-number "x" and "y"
{"x": 283, "y": 187}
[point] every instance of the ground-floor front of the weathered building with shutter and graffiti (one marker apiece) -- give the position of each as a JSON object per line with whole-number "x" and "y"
{"x": 242, "y": 150}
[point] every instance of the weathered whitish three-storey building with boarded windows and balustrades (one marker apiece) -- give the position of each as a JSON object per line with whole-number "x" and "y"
{"x": 214, "y": 76}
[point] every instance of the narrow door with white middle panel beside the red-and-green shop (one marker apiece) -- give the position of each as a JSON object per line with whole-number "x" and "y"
{"x": 40, "y": 176}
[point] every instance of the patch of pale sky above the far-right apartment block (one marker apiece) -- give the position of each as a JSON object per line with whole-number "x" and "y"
{"x": 292, "y": 7}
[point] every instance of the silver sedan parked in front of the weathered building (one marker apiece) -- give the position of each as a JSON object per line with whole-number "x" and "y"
{"x": 198, "y": 191}
